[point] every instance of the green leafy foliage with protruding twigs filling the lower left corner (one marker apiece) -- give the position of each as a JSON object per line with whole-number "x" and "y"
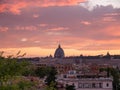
{"x": 11, "y": 70}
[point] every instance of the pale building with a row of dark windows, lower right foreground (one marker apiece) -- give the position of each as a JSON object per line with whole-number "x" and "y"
{"x": 101, "y": 83}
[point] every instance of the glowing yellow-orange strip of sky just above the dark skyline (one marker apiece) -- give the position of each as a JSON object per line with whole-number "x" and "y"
{"x": 38, "y": 52}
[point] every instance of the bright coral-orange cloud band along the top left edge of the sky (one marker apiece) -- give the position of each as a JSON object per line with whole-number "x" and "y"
{"x": 15, "y": 6}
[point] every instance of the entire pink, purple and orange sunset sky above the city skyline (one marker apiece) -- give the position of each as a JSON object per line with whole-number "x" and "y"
{"x": 36, "y": 27}
